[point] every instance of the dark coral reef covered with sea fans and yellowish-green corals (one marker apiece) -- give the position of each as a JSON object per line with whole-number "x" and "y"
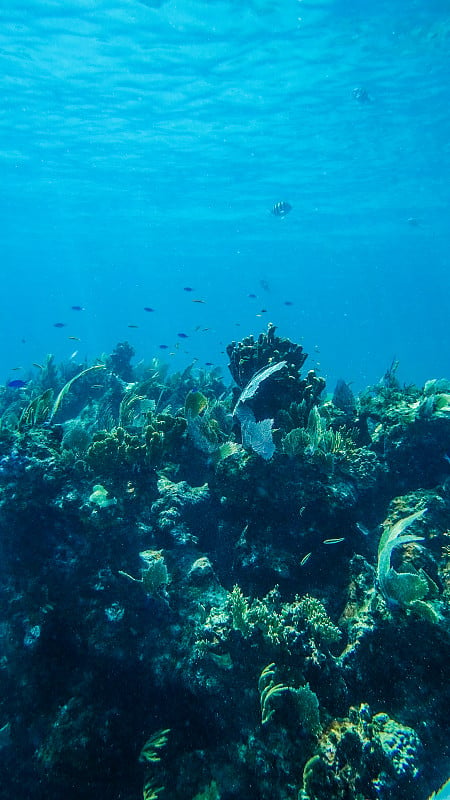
{"x": 223, "y": 592}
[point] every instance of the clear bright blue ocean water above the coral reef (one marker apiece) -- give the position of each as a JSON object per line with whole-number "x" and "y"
{"x": 143, "y": 145}
